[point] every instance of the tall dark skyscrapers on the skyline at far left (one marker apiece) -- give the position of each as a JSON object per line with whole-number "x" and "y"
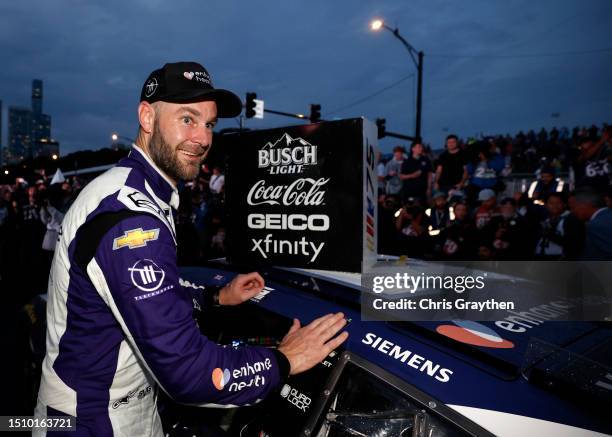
{"x": 30, "y": 129}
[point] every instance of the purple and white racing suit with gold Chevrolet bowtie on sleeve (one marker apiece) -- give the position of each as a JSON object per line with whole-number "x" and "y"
{"x": 120, "y": 319}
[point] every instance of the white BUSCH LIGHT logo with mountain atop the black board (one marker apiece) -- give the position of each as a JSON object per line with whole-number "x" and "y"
{"x": 287, "y": 155}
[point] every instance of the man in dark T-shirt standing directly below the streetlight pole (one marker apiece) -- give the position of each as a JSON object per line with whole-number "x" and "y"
{"x": 416, "y": 175}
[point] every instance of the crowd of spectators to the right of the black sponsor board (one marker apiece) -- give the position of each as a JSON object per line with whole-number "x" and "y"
{"x": 458, "y": 208}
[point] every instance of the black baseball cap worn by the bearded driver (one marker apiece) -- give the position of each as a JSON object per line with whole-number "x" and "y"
{"x": 188, "y": 82}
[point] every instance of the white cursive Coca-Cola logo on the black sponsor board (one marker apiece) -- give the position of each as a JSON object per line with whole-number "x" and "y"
{"x": 303, "y": 191}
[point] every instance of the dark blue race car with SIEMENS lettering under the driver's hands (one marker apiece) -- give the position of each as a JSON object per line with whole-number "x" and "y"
{"x": 434, "y": 379}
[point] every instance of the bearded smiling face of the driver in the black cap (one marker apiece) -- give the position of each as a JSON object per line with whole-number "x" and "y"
{"x": 182, "y": 136}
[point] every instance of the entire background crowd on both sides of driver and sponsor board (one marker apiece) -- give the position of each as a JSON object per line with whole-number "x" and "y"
{"x": 450, "y": 207}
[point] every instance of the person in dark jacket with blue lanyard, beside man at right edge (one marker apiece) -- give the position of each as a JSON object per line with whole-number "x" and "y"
{"x": 562, "y": 234}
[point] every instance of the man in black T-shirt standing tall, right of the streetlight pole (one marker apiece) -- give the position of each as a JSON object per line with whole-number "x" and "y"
{"x": 451, "y": 171}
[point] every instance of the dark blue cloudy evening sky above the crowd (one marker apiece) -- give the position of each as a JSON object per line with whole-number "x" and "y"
{"x": 490, "y": 66}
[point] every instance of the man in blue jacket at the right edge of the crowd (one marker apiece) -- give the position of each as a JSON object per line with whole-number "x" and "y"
{"x": 589, "y": 207}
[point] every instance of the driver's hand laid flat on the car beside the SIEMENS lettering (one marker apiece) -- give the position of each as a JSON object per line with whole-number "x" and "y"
{"x": 308, "y": 346}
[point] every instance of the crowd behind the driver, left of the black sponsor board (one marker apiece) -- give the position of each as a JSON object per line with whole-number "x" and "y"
{"x": 31, "y": 214}
